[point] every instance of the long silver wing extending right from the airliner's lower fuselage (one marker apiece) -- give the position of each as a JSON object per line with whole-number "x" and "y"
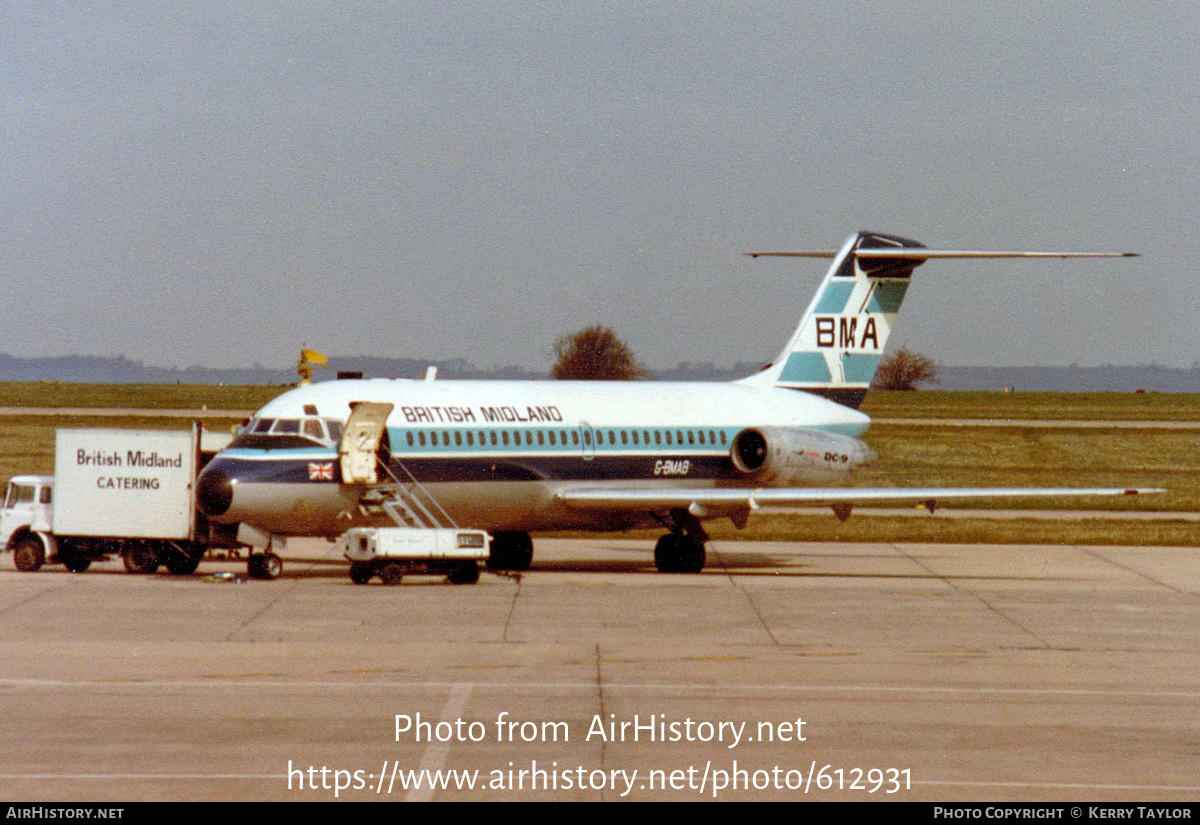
{"x": 701, "y": 502}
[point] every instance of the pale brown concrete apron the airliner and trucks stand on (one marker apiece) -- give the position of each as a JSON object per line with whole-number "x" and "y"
{"x": 783, "y": 672}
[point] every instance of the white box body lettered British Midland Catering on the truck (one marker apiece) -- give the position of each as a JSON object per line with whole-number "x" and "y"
{"x": 125, "y": 483}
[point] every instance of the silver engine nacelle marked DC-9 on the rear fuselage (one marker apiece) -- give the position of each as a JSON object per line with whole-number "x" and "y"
{"x": 779, "y": 456}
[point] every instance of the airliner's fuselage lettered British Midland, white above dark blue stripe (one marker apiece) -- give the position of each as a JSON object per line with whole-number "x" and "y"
{"x": 496, "y": 455}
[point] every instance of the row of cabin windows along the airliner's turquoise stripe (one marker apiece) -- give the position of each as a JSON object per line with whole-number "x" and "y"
{"x": 567, "y": 438}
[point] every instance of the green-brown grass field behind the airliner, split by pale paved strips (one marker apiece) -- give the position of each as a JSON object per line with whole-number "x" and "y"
{"x": 910, "y": 455}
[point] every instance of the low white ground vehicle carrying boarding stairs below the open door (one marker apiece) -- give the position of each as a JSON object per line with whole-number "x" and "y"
{"x": 393, "y": 553}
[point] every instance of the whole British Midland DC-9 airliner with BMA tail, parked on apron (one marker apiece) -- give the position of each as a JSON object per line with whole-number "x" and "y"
{"x": 514, "y": 457}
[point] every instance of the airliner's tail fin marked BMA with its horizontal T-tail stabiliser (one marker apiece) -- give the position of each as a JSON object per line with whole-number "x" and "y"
{"x": 841, "y": 340}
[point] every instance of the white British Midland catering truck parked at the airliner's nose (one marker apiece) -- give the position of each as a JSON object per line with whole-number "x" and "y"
{"x": 118, "y": 492}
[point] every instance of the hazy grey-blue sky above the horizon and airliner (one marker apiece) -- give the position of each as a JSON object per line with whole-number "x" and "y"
{"x": 219, "y": 183}
